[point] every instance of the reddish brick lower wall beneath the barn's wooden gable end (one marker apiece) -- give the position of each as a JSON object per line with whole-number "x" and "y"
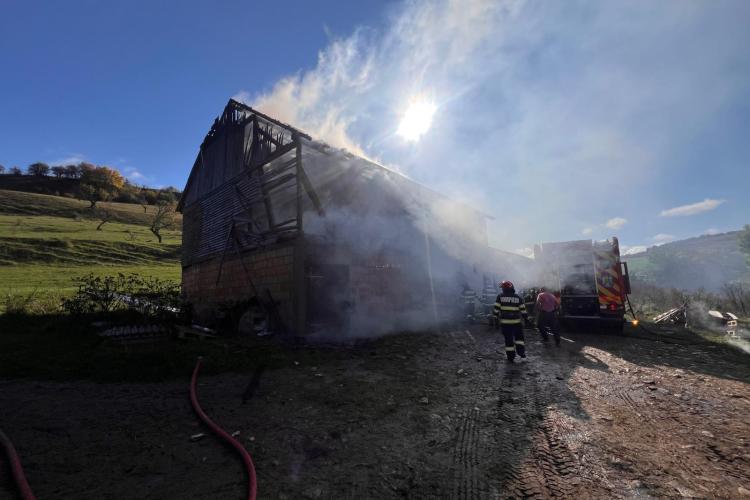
{"x": 271, "y": 268}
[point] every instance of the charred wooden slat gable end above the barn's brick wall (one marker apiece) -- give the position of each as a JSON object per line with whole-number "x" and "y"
{"x": 246, "y": 178}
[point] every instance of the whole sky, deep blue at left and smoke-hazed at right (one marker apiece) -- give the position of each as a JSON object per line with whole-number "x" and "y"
{"x": 563, "y": 119}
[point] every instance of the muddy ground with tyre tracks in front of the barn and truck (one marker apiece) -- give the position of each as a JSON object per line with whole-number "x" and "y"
{"x": 438, "y": 415}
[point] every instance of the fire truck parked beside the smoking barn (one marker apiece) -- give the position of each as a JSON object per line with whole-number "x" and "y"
{"x": 592, "y": 282}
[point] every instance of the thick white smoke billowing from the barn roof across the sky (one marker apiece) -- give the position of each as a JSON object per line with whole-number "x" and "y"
{"x": 563, "y": 113}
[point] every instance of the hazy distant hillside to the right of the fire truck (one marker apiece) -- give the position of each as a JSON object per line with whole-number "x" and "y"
{"x": 707, "y": 261}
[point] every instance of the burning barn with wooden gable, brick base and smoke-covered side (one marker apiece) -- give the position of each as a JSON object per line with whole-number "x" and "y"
{"x": 309, "y": 238}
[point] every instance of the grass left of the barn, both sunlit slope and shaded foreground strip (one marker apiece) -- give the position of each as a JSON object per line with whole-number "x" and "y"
{"x": 45, "y": 242}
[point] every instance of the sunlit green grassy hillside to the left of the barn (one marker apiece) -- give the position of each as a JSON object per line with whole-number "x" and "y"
{"x": 47, "y": 240}
